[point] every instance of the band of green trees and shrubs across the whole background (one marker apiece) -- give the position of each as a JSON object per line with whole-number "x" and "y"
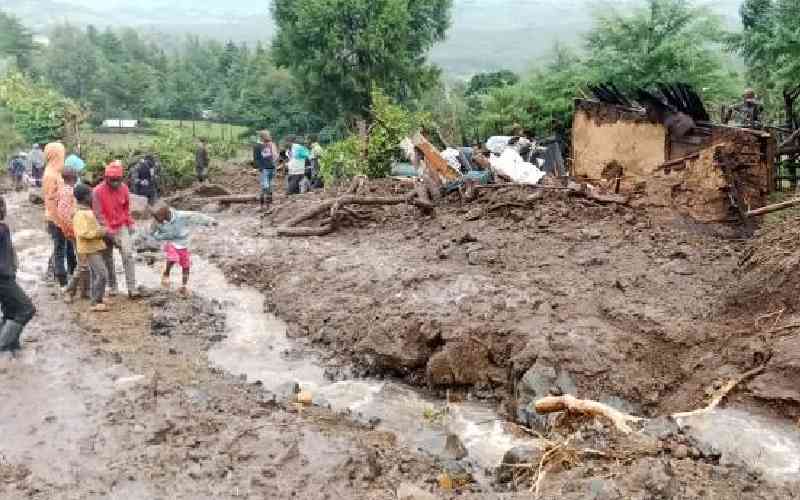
{"x": 320, "y": 76}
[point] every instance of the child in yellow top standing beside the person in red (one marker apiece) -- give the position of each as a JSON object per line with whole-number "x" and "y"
{"x": 90, "y": 240}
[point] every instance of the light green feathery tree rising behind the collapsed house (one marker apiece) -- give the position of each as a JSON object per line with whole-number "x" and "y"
{"x": 668, "y": 40}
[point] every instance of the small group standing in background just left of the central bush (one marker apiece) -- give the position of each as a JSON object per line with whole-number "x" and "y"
{"x": 301, "y": 159}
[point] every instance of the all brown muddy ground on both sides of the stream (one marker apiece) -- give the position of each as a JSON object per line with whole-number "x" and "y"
{"x": 505, "y": 303}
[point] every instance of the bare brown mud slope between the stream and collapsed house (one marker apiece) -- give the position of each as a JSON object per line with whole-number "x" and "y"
{"x": 509, "y": 301}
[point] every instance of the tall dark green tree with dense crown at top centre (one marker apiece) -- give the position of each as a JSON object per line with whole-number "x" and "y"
{"x": 339, "y": 49}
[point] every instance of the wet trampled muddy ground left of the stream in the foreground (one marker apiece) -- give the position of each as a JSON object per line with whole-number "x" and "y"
{"x": 100, "y": 407}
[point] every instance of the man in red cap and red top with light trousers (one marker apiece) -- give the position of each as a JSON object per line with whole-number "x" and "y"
{"x": 111, "y": 205}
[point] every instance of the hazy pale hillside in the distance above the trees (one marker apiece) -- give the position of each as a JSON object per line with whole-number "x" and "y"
{"x": 486, "y": 34}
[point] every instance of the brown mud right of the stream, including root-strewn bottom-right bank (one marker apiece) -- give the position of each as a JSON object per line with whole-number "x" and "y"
{"x": 524, "y": 294}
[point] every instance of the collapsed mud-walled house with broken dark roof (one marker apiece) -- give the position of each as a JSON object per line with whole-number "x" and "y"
{"x": 663, "y": 151}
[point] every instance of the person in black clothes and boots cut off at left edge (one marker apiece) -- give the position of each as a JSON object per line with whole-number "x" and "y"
{"x": 18, "y": 309}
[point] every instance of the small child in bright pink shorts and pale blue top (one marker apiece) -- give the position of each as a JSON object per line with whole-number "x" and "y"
{"x": 172, "y": 228}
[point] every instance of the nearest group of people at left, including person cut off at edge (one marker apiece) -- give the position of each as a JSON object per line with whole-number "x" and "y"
{"x": 86, "y": 224}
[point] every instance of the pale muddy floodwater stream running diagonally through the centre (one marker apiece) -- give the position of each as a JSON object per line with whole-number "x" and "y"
{"x": 257, "y": 347}
